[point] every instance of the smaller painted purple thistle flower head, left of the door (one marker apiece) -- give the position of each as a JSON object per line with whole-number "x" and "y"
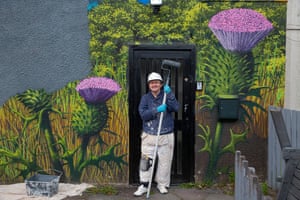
{"x": 97, "y": 89}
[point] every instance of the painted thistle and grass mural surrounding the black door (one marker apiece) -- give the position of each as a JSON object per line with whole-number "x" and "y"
{"x": 83, "y": 130}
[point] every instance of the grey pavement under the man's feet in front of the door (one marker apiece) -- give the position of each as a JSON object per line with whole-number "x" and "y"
{"x": 175, "y": 193}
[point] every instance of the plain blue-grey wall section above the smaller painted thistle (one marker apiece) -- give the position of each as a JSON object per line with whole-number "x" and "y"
{"x": 43, "y": 44}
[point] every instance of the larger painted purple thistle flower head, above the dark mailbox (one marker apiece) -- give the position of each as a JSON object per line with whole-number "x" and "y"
{"x": 239, "y": 29}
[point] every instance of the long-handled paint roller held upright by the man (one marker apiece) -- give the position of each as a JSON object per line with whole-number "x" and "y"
{"x": 172, "y": 64}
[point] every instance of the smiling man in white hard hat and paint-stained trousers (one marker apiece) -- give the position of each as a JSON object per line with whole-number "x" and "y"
{"x": 150, "y": 108}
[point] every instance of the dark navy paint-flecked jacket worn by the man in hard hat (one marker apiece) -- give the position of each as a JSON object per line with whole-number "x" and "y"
{"x": 150, "y": 116}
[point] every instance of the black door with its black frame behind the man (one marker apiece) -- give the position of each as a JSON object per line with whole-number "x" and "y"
{"x": 144, "y": 59}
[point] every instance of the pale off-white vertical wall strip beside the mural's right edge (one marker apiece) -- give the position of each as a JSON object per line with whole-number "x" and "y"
{"x": 292, "y": 73}
